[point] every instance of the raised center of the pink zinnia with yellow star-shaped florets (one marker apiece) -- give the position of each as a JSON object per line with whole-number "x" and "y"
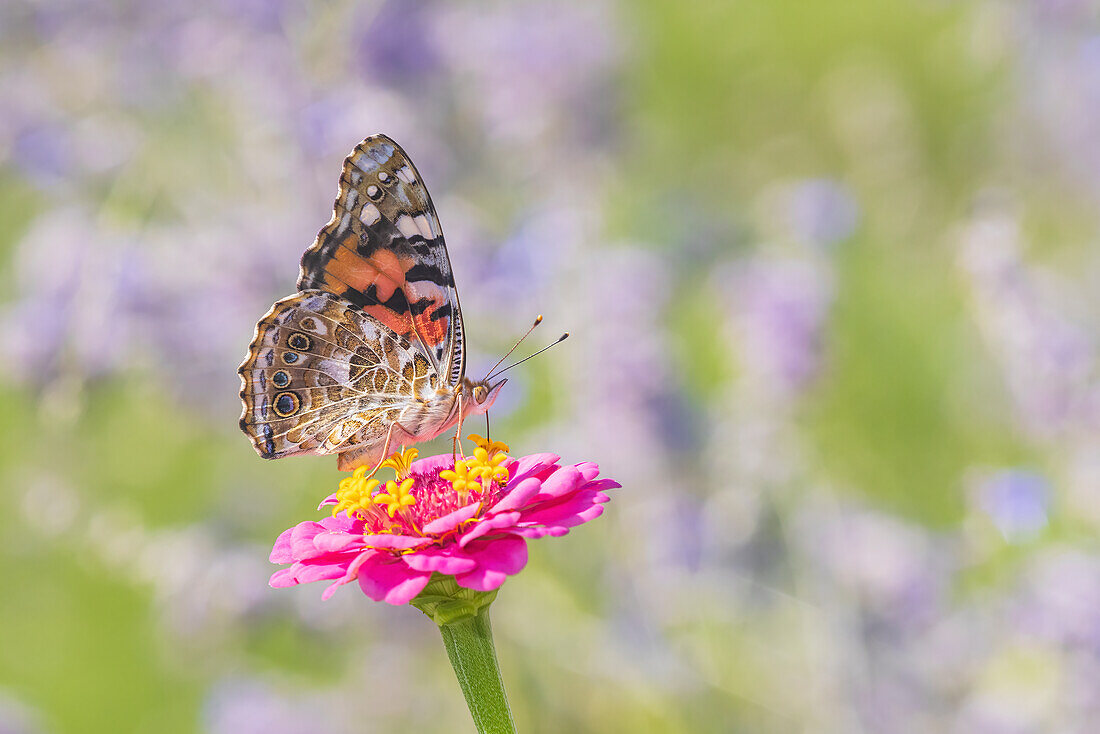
{"x": 404, "y": 506}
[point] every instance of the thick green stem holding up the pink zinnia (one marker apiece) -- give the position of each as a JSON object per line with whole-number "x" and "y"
{"x": 463, "y": 617}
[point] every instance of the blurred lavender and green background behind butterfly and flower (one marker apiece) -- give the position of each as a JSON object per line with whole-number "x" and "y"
{"x": 830, "y": 270}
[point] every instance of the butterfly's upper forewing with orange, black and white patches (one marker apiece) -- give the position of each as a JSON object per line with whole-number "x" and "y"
{"x": 384, "y": 251}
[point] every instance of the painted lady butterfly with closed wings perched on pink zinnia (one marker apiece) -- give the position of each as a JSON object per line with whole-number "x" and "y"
{"x": 370, "y": 355}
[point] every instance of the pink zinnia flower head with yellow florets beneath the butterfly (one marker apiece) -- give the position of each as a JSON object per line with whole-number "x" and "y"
{"x": 468, "y": 519}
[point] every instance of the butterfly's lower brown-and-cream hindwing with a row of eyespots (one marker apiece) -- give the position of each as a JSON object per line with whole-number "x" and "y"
{"x": 322, "y": 378}
